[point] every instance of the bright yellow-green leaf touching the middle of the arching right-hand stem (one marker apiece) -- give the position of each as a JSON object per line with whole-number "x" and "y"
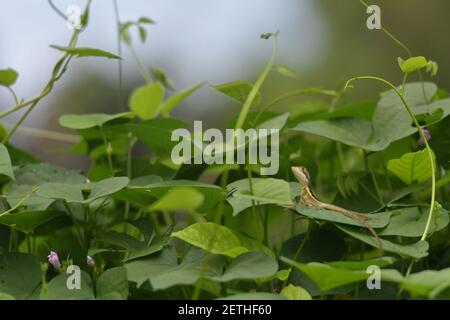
{"x": 411, "y": 167}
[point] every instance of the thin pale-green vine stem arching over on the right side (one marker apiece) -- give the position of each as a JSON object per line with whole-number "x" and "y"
{"x": 422, "y": 135}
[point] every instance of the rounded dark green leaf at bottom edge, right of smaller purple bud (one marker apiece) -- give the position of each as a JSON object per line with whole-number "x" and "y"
{"x": 112, "y": 284}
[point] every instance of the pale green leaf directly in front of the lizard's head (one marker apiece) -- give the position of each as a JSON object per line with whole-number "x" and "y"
{"x": 265, "y": 191}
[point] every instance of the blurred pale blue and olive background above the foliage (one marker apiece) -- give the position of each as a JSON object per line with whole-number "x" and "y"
{"x": 324, "y": 41}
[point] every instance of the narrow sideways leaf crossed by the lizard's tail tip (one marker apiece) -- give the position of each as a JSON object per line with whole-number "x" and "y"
{"x": 416, "y": 250}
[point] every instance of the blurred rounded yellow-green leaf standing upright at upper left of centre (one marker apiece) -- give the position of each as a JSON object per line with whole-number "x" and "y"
{"x": 146, "y": 100}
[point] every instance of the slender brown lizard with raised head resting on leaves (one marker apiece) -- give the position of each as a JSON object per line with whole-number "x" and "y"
{"x": 308, "y": 198}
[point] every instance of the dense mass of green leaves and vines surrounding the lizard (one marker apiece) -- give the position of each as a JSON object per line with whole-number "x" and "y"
{"x": 157, "y": 230}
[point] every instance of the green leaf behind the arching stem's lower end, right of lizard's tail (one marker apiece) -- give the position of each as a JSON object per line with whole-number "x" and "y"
{"x": 410, "y": 222}
